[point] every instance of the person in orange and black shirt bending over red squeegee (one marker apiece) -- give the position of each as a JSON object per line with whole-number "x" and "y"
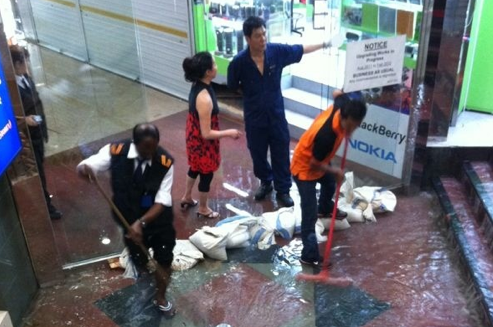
{"x": 311, "y": 165}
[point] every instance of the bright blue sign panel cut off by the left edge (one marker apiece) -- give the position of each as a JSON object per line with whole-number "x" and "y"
{"x": 10, "y": 143}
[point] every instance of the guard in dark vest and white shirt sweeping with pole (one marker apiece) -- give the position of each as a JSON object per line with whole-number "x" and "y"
{"x": 141, "y": 180}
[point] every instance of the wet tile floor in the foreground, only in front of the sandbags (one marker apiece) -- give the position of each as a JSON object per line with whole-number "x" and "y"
{"x": 405, "y": 273}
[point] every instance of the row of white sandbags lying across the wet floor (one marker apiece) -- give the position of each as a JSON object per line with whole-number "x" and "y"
{"x": 245, "y": 230}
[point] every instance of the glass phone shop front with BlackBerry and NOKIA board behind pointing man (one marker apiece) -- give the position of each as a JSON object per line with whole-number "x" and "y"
{"x": 378, "y": 148}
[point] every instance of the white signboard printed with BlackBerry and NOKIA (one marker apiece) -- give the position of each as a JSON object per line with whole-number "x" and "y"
{"x": 380, "y": 142}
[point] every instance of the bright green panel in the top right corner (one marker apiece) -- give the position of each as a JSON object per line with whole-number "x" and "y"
{"x": 477, "y": 86}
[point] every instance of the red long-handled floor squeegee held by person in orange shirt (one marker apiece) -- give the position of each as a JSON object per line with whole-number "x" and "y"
{"x": 324, "y": 277}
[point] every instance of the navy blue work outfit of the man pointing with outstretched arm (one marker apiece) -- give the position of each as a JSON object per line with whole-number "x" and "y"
{"x": 265, "y": 120}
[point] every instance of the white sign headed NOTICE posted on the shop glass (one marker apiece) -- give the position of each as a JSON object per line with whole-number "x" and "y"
{"x": 374, "y": 63}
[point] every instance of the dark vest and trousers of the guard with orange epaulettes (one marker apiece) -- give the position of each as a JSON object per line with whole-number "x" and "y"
{"x": 134, "y": 197}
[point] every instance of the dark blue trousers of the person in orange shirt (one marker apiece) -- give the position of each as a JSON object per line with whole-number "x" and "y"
{"x": 309, "y": 210}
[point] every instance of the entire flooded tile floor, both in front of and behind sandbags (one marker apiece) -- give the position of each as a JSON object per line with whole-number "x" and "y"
{"x": 405, "y": 272}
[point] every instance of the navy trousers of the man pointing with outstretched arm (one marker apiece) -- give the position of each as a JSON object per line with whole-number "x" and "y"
{"x": 276, "y": 138}
